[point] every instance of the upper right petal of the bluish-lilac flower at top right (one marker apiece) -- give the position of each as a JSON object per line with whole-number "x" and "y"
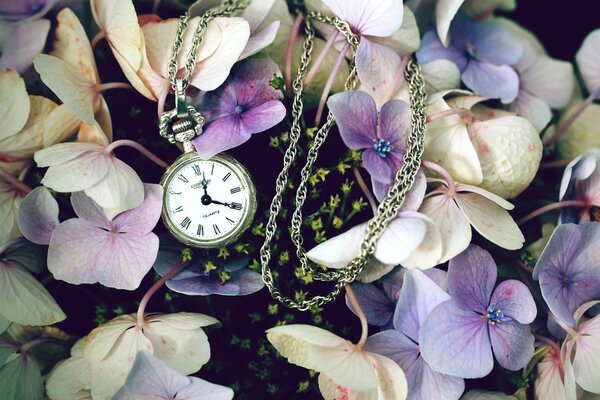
{"x": 494, "y": 44}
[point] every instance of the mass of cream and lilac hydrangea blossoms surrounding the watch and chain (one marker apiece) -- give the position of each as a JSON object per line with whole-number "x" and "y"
{"x": 455, "y": 288}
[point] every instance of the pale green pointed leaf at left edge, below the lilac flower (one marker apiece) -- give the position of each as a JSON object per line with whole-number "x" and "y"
{"x": 24, "y": 300}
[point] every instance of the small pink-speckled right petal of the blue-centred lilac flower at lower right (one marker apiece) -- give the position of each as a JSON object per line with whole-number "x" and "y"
{"x": 515, "y": 301}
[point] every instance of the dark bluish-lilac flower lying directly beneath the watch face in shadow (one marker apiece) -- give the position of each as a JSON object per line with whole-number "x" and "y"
{"x": 233, "y": 279}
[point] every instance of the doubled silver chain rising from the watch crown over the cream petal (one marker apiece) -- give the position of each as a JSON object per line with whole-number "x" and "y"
{"x": 227, "y": 8}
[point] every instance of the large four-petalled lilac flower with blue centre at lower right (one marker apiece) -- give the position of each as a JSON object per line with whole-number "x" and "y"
{"x": 459, "y": 335}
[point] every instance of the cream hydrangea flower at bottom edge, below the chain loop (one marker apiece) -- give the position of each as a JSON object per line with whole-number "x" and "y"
{"x": 345, "y": 370}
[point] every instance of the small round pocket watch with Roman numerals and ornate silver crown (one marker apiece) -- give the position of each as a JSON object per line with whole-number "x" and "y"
{"x": 206, "y": 203}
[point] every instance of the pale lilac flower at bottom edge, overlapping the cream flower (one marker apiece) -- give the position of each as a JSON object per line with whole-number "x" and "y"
{"x": 151, "y": 378}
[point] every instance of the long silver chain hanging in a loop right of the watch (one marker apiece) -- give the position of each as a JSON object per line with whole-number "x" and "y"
{"x": 387, "y": 209}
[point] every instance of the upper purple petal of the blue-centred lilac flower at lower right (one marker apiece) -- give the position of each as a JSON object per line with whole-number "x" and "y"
{"x": 471, "y": 278}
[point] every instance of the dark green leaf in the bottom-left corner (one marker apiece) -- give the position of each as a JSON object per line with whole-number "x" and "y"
{"x": 21, "y": 379}
